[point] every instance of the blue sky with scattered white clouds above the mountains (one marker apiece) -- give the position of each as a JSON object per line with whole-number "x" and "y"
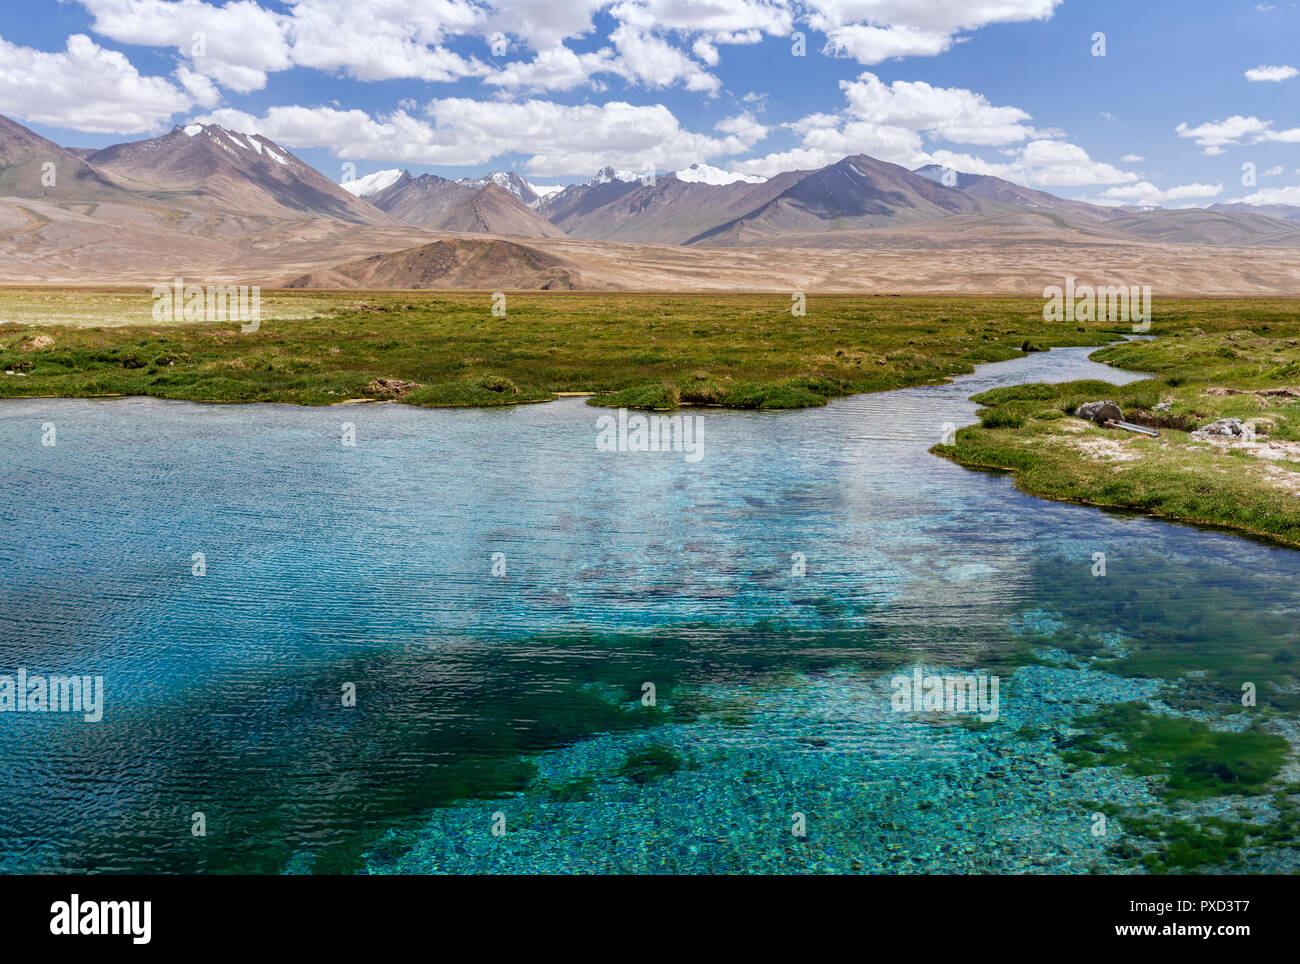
{"x": 1178, "y": 103}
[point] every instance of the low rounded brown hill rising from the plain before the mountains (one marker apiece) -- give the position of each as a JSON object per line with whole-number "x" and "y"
{"x": 460, "y": 263}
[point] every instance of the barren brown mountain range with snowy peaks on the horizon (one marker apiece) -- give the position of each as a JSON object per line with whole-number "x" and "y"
{"x": 202, "y": 198}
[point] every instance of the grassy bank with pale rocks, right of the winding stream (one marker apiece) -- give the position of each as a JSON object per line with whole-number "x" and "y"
{"x": 1233, "y": 363}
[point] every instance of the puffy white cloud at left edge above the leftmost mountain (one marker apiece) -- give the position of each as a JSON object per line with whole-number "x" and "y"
{"x": 86, "y": 88}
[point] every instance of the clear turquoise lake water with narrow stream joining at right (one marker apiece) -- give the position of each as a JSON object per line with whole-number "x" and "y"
{"x": 521, "y": 694}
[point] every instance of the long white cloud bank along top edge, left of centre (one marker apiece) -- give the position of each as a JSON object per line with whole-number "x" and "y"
{"x": 241, "y": 44}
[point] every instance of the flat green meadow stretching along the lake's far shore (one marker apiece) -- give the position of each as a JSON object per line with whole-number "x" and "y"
{"x": 448, "y": 349}
